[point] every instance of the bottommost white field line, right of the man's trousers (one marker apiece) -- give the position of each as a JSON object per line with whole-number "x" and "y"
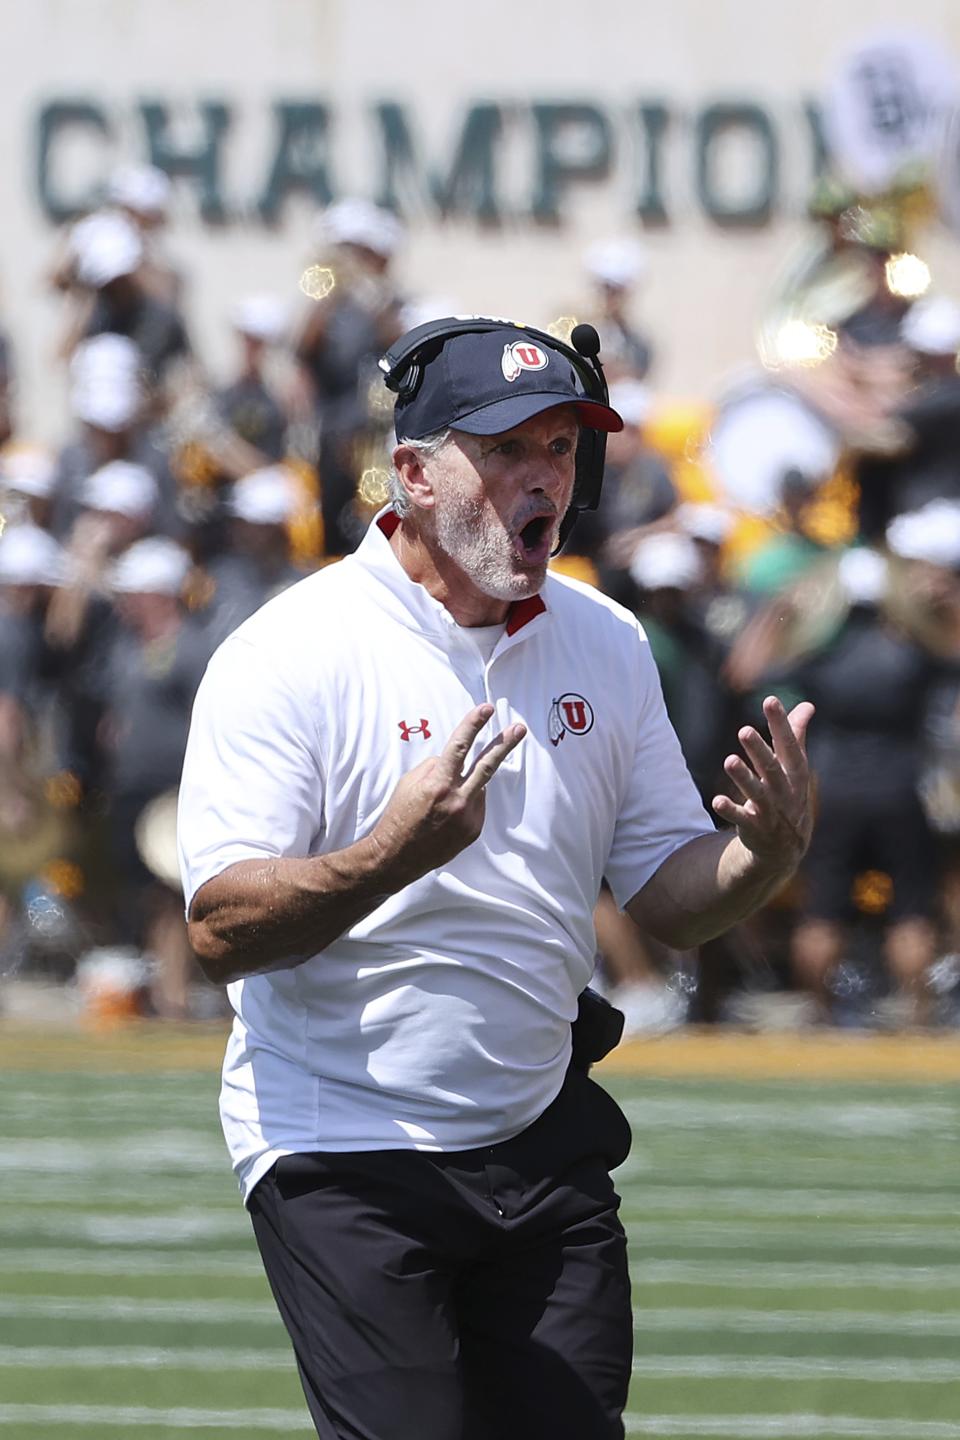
{"x": 792, "y": 1426}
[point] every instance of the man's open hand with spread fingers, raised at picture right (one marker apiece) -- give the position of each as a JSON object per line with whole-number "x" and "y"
{"x": 776, "y": 817}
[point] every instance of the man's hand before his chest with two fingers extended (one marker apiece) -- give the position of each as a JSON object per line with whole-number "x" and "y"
{"x": 437, "y": 810}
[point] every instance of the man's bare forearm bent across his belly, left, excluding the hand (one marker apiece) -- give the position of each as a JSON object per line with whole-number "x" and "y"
{"x": 273, "y": 915}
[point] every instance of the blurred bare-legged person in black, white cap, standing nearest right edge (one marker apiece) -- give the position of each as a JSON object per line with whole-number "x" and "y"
{"x": 879, "y": 634}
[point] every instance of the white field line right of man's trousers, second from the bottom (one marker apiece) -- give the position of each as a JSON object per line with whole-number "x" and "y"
{"x": 789, "y": 1367}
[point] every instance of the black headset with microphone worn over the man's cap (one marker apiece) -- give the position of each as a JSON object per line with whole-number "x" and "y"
{"x": 405, "y": 362}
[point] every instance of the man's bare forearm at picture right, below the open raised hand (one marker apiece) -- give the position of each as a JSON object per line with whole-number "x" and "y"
{"x": 706, "y": 888}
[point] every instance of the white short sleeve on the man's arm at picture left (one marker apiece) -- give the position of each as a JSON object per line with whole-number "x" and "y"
{"x": 253, "y": 781}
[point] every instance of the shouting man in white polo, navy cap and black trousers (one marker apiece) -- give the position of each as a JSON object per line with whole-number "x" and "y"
{"x": 405, "y": 783}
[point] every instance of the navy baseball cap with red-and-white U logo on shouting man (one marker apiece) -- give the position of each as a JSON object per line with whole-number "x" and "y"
{"x": 492, "y": 381}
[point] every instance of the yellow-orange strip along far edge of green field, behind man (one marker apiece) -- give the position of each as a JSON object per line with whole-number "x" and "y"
{"x": 150, "y": 1046}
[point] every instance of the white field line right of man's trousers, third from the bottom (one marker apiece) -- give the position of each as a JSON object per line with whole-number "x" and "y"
{"x": 794, "y": 1323}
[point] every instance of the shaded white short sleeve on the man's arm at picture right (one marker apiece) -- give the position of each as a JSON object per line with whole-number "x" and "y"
{"x": 661, "y": 809}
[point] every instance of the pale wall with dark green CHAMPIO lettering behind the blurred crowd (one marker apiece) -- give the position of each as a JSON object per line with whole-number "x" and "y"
{"x": 509, "y": 139}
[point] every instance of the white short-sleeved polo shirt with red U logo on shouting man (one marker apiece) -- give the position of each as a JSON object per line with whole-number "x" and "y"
{"x": 443, "y": 1020}
